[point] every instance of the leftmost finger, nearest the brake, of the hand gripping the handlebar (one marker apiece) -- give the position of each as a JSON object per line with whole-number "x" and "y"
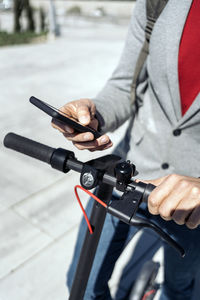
{"x": 161, "y": 192}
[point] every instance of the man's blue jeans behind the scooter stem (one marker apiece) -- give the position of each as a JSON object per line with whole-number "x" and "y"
{"x": 179, "y": 273}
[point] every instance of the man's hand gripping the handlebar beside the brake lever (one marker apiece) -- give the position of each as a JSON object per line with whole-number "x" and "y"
{"x": 176, "y": 198}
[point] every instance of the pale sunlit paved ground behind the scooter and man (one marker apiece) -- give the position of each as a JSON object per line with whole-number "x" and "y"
{"x": 38, "y": 210}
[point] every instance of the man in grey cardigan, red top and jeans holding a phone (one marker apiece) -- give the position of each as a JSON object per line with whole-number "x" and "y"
{"x": 163, "y": 139}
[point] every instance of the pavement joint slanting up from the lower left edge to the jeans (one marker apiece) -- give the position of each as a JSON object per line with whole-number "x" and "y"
{"x": 39, "y": 252}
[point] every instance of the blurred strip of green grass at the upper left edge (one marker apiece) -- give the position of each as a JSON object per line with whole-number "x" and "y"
{"x": 8, "y": 39}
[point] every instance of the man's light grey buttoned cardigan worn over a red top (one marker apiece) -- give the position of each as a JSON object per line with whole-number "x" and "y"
{"x": 159, "y": 140}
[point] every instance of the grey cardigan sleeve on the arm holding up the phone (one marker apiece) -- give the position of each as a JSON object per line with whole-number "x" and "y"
{"x": 113, "y": 101}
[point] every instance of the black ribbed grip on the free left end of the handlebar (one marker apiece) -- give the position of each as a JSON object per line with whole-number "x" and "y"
{"x": 28, "y": 147}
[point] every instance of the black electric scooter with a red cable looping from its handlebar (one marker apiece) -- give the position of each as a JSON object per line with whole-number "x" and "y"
{"x": 106, "y": 173}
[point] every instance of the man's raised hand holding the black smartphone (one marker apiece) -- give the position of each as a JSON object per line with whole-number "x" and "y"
{"x": 84, "y": 111}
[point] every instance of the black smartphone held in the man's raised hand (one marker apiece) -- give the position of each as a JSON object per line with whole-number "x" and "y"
{"x": 63, "y": 117}
